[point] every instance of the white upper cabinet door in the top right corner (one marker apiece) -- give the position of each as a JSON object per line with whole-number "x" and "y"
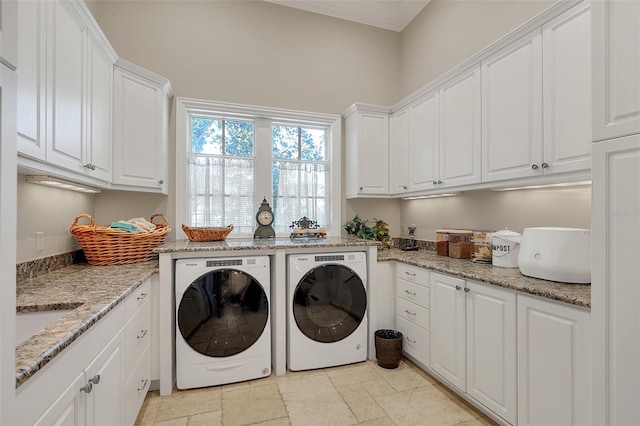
{"x": 616, "y": 68}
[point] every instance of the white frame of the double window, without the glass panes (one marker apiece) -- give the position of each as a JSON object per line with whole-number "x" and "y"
{"x": 263, "y": 118}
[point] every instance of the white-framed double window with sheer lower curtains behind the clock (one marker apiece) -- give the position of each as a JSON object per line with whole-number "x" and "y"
{"x": 230, "y": 157}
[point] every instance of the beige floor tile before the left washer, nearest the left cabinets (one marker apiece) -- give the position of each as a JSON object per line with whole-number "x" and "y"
{"x": 189, "y": 402}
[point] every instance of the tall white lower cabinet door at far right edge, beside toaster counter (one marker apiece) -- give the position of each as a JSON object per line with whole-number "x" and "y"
{"x": 615, "y": 293}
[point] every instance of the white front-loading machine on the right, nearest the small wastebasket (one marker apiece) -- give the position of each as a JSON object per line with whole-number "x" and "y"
{"x": 326, "y": 310}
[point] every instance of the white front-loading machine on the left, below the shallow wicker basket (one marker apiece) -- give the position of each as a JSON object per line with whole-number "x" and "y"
{"x": 223, "y": 332}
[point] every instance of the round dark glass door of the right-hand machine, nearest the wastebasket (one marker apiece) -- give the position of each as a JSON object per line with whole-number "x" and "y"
{"x": 329, "y": 303}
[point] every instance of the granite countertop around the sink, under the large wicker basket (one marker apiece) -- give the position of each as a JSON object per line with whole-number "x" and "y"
{"x": 91, "y": 291}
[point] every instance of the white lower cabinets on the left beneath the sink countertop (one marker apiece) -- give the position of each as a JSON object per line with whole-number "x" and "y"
{"x": 102, "y": 378}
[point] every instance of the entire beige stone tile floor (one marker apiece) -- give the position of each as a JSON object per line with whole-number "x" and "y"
{"x": 357, "y": 394}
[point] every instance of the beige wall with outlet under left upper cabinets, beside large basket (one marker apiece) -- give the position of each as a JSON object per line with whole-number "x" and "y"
{"x": 51, "y": 211}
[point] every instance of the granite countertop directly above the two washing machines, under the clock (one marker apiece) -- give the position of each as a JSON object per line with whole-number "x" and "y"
{"x": 251, "y": 244}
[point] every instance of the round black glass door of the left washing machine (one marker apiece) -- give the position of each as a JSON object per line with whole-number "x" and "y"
{"x": 223, "y": 313}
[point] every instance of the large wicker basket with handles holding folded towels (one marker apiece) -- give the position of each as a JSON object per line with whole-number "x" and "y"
{"x": 103, "y": 245}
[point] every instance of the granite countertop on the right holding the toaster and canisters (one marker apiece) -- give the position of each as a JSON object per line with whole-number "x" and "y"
{"x": 575, "y": 294}
